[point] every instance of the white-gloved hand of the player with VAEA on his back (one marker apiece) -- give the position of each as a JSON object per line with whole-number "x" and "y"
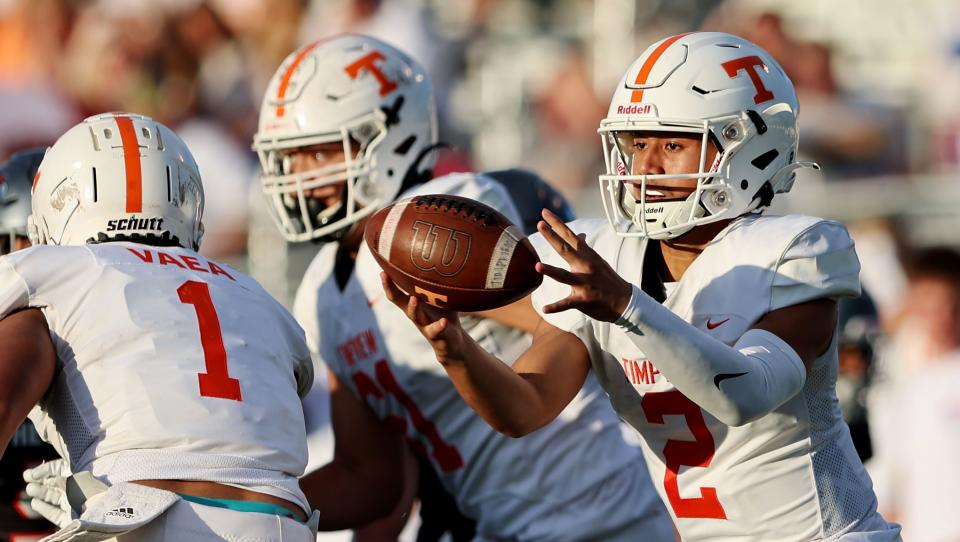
{"x": 57, "y": 494}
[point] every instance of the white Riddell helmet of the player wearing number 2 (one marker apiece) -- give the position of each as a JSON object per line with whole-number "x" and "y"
{"x": 718, "y": 85}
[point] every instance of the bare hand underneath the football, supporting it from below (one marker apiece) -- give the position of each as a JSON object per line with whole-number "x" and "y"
{"x": 441, "y": 327}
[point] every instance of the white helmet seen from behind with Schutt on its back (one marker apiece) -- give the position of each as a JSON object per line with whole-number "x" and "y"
{"x": 118, "y": 176}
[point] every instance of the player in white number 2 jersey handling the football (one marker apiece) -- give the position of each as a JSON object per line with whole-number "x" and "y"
{"x": 721, "y": 320}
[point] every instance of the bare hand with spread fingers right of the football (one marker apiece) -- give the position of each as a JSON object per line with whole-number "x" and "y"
{"x": 596, "y": 289}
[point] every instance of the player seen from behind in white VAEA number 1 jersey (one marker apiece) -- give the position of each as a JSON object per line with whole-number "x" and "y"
{"x": 169, "y": 380}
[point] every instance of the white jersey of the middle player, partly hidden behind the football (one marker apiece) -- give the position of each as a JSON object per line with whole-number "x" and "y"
{"x": 512, "y": 487}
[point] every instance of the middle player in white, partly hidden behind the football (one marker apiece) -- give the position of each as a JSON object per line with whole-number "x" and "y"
{"x": 347, "y": 126}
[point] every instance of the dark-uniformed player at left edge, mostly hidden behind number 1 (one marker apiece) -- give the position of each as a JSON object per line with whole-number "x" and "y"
{"x": 18, "y": 521}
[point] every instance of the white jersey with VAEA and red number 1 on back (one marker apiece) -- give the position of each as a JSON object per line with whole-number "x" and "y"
{"x": 170, "y": 366}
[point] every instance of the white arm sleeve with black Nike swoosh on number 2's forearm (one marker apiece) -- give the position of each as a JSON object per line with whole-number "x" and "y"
{"x": 734, "y": 384}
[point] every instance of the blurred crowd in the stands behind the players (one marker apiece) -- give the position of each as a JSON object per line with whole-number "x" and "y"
{"x": 525, "y": 83}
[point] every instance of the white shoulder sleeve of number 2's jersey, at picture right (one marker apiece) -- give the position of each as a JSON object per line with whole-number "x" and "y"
{"x": 819, "y": 263}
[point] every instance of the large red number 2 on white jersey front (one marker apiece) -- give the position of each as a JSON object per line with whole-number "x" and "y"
{"x": 677, "y": 453}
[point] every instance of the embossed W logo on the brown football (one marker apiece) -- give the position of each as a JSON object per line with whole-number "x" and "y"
{"x": 438, "y": 249}
